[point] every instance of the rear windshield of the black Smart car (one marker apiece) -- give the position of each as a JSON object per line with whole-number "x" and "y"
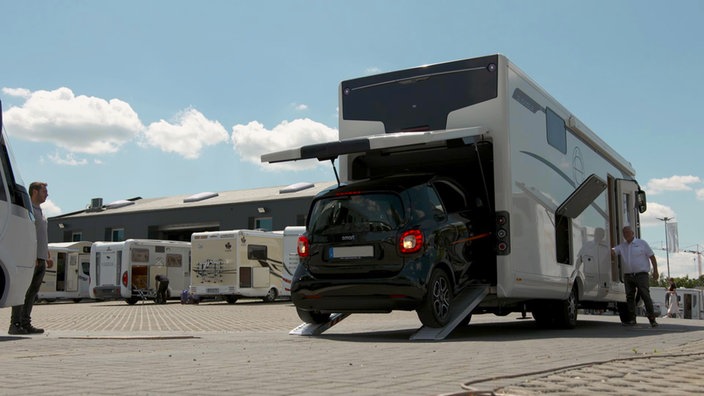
{"x": 356, "y": 213}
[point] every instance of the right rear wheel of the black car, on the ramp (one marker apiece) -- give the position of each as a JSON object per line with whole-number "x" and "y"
{"x": 435, "y": 309}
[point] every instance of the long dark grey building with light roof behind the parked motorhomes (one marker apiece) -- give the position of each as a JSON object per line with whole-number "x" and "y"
{"x": 177, "y": 217}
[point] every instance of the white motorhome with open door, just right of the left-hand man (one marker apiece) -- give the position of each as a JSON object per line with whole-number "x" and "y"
{"x": 68, "y": 275}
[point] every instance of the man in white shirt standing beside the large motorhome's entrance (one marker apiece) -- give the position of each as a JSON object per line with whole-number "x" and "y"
{"x": 636, "y": 257}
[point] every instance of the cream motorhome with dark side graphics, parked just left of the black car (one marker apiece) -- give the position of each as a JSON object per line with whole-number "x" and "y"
{"x": 242, "y": 263}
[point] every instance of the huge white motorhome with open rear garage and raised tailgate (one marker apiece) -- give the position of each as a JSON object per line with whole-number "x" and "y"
{"x": 559, "y": 194}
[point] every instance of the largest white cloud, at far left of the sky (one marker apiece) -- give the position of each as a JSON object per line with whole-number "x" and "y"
{"x": 82, "y": 124}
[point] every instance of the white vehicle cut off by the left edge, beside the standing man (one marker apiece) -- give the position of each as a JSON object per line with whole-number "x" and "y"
{"x": 18, "y": 237}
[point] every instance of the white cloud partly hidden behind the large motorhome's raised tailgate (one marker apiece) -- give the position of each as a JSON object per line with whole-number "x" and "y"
{"x": 252, "y": 140}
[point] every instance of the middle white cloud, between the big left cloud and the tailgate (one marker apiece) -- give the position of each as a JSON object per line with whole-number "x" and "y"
{"x": 187, "y": 135}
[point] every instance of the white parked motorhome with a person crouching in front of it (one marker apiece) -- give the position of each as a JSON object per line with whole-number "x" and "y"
{"x": 126, "y": 270}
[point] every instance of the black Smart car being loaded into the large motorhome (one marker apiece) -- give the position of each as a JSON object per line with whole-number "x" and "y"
{"x": 395, "y": 243}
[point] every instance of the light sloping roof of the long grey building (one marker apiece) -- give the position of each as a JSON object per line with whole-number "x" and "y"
{"x": 139, "y": 204}
